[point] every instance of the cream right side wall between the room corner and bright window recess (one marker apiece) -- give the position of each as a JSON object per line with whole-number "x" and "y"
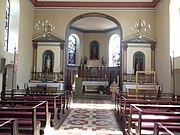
{"x": 162, "y": 58}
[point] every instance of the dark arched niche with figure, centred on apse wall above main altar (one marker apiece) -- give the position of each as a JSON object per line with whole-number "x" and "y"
{"x": 94, "y": 50}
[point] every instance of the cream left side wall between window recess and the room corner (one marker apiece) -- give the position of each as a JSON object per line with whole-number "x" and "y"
{"x": 25, "y": 50}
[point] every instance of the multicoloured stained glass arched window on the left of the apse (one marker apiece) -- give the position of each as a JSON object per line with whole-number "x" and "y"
{"x": 72, "y": 50}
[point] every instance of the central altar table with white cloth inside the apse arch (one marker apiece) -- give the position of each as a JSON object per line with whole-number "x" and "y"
{"x": 92, "y": 85}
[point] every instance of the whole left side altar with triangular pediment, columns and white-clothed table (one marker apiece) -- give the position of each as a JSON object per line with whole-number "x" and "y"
{"x": 48, "y": 64}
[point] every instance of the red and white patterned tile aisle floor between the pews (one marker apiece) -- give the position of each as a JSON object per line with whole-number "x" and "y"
{"x": 90, "y": 117}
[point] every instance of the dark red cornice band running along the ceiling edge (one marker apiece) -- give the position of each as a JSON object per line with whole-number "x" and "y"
{"x": 150, "y": 4}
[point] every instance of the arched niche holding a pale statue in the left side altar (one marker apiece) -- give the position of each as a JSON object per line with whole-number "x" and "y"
{"x": 48, "y": 61}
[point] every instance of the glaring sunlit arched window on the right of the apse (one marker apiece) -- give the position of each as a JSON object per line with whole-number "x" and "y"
{"x": 114, "y": 50}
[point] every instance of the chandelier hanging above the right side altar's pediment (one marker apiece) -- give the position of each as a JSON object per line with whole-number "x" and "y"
{"x": 141, "y": 28}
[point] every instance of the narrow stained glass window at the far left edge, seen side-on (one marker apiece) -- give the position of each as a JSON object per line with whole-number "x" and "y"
{"x": 6, "y": 30}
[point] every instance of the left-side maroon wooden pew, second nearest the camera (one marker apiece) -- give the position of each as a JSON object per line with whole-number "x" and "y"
{"x": 27, "y": 116}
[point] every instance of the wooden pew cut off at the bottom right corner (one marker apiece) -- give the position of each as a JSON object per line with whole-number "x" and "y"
{"x": 171, "y": 129}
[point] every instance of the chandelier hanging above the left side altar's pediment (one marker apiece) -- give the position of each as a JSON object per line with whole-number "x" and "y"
{"x": 44, "y": 26}
